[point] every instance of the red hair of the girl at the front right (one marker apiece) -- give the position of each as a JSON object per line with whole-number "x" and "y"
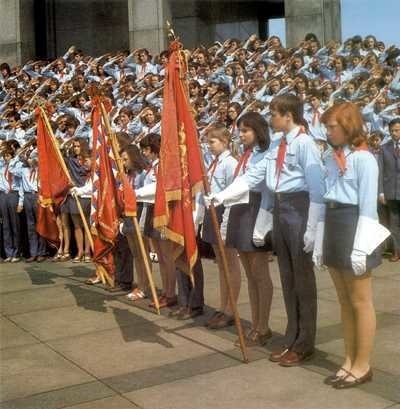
{"x": 349, "y": 117}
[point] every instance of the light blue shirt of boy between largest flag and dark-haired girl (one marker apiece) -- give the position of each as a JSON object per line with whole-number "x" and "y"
{"x": 224, "y": 171}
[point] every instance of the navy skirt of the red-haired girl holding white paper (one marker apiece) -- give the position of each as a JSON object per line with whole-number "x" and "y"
{"x": 340, "y": 231}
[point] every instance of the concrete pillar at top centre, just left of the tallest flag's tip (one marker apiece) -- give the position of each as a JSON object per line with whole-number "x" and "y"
{"x": 147, "y": 24}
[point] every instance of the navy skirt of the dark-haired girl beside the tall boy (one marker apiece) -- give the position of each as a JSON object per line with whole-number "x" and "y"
{"x": 241, "y": 223}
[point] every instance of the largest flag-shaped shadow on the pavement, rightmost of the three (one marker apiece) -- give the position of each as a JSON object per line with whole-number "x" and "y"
{"x": 136, "y": 328}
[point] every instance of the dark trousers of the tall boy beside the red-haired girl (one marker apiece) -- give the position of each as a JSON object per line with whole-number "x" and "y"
{"x": 296, "y": 270}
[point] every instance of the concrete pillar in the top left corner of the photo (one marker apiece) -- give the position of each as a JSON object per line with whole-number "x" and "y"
{"x": 17, "y": 38}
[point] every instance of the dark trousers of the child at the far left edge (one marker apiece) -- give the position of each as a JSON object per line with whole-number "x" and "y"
{"x": 11, "y": 223}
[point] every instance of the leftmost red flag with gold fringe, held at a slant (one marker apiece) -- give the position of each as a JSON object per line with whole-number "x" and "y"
{"x": 54, "y": 181}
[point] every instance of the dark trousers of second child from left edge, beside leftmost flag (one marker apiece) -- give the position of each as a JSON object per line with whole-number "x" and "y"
{"x": 37, "y": 245}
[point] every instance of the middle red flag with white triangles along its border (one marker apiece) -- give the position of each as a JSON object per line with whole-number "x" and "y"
{"x": 112, "y": 195}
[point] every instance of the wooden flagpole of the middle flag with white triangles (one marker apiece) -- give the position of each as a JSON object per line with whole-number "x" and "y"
{"x": 134, "y": 218}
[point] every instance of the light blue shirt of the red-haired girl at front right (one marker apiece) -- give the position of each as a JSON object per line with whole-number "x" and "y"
{"x": 358, "y": 185}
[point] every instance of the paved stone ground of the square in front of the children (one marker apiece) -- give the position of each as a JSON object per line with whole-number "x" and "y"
{"x": 67, "y": 345}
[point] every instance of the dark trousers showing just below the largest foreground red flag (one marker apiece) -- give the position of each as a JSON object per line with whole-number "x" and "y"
{"x": 189, "y": 295}
